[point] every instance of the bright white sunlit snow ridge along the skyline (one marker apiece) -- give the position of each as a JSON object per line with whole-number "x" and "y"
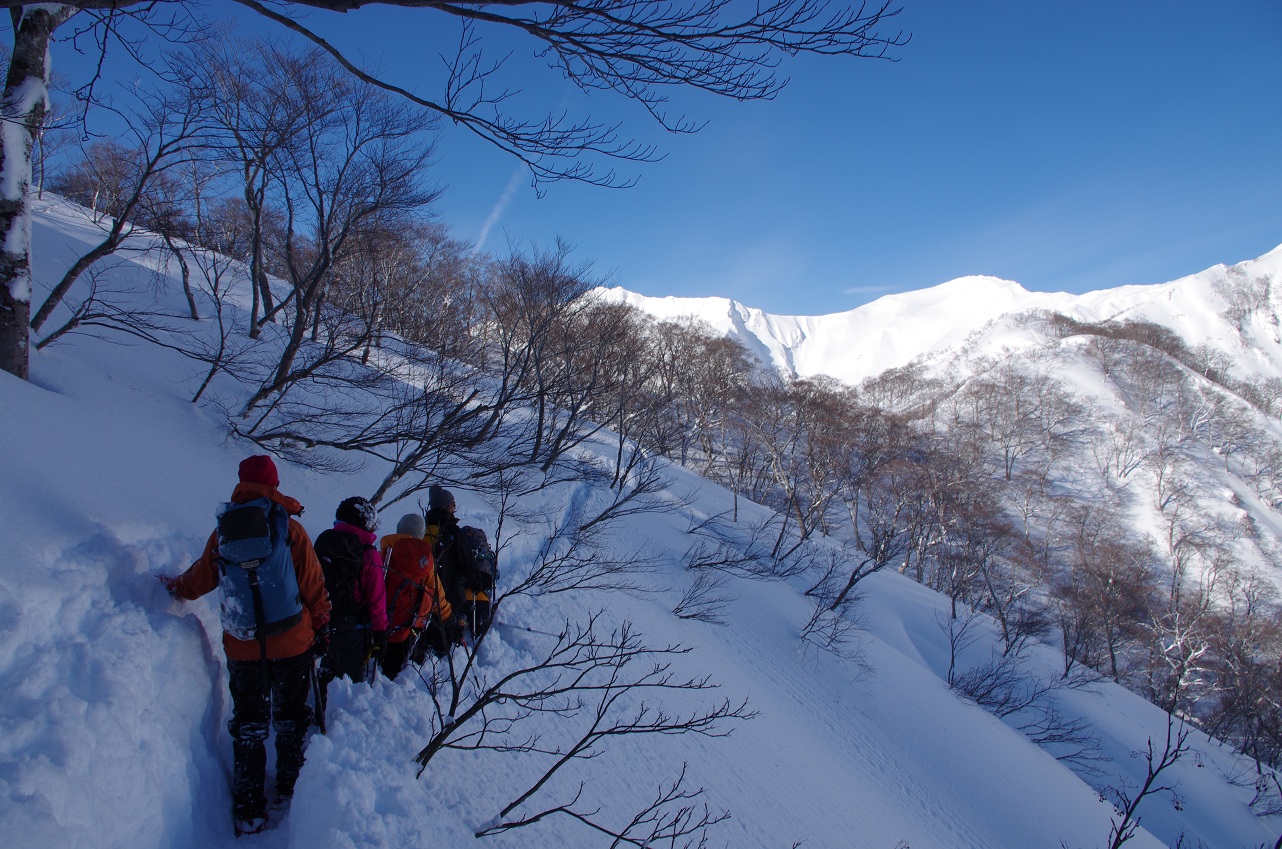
{"x": 928, "y": 324}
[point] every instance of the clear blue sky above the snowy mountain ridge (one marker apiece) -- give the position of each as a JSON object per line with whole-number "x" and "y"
{"x": 1066, "y": 146}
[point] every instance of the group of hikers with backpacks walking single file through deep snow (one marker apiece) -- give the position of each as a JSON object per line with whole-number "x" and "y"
{"x": 298, "y": 615}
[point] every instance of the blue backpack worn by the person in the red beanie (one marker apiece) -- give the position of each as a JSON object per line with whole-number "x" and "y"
{"x": 260, "y": 587}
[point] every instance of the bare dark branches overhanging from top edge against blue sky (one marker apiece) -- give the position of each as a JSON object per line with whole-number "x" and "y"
{"x": 637, "y": 51}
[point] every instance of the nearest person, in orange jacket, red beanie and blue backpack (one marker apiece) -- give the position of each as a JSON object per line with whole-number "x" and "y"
{"x": 274, "y": 603}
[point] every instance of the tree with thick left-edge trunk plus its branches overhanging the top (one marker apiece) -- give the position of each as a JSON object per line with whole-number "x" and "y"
{"x": 638, "y": 51}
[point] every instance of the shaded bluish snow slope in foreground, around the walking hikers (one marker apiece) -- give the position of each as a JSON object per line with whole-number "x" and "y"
{"x": 115, "y": 701}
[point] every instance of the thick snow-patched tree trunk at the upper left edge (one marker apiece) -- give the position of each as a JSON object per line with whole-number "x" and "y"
{"x": 22, "y": 111}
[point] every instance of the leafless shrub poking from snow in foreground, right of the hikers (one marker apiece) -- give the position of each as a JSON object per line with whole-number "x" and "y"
{"x": 601, "y": 688}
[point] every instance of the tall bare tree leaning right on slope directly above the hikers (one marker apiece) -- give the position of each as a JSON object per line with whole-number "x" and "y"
{"x": 354, "y": 161}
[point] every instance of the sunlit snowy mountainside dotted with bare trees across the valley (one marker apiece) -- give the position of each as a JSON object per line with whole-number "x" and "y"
{"x": 1111, "y": 458}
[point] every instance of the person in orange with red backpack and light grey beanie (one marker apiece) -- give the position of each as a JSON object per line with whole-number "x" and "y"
{"x": 415, "y": 592}
